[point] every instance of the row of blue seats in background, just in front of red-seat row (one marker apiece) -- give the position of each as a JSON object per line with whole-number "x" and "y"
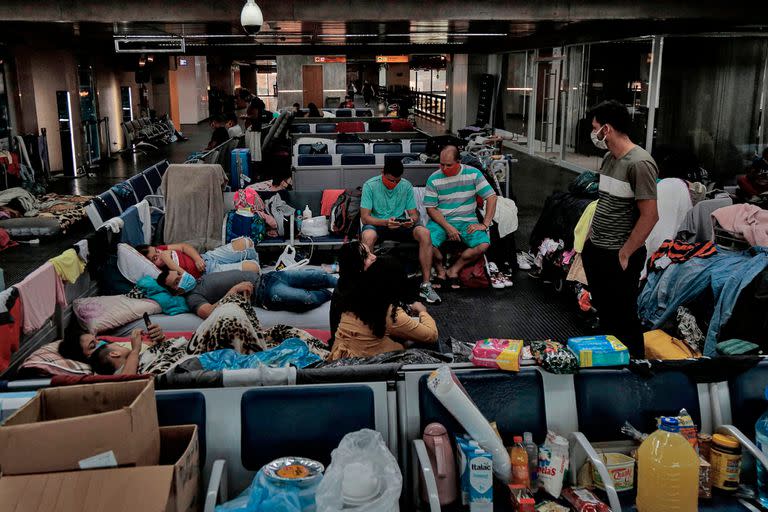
{"x": 358, "y": 153}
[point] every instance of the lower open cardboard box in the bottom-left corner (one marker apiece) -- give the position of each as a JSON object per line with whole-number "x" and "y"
{"x": 172, "y": 487}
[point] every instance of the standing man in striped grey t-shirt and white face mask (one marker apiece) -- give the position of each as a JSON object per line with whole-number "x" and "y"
{"x": 626, "y": 214}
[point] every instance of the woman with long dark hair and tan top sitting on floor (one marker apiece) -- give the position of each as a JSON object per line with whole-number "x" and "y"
{"x": 373, "y": 315}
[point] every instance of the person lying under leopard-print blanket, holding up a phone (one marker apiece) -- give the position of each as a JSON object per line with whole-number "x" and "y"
{"x": 233, "y": 325}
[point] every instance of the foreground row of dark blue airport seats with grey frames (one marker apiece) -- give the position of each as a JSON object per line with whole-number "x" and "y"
{"x": 248, "y": 427}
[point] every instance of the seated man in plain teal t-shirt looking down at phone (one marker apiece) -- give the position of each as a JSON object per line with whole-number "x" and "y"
{"x": 388, "y": 211}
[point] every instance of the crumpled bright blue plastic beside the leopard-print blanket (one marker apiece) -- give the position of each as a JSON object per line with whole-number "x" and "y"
{"x": 292, "y": 351}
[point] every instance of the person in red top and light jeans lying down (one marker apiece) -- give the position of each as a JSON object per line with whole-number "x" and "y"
{"x": 239, "y": 254}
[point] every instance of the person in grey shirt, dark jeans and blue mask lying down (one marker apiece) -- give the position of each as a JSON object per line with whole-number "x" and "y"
{"x": 287, "y": 290}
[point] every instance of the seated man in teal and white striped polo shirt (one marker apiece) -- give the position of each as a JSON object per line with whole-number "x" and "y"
{"x": 450, "y": 199}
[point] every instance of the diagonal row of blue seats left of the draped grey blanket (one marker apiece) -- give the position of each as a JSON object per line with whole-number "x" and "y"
{"x": 110, "y": 204}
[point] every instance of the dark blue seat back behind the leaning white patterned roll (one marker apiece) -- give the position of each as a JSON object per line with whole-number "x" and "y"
{"x": 515, "y": 401}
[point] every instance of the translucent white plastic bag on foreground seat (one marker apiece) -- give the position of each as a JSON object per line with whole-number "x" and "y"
{"x": 362, "y": 448}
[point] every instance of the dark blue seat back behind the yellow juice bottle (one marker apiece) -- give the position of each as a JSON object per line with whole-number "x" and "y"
{"x": 605, "y": 399}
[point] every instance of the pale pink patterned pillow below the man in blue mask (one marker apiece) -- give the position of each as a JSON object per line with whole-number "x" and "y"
{"x": 99, "y": 314}
